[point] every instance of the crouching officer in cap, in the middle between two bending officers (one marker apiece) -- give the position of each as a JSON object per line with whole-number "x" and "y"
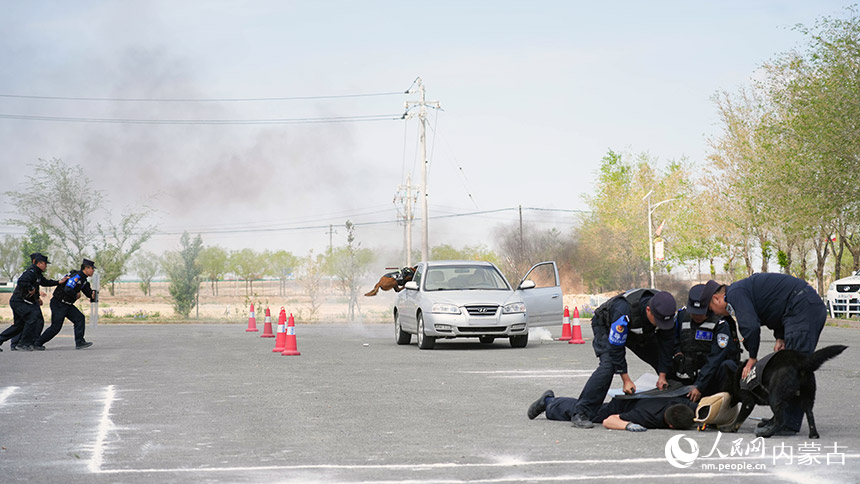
{"x": 706, "y": 346}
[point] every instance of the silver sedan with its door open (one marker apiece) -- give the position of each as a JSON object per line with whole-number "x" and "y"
{"x": 472, "y": 299}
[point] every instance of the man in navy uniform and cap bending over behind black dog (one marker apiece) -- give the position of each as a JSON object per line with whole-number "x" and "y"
{"x": 787, "y": 305}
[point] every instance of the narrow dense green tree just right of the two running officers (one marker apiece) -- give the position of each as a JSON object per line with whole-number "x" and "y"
{"x": 183, "y": 272}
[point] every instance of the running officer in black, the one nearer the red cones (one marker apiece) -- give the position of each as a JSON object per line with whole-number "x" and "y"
{"x": 63, "y": 306}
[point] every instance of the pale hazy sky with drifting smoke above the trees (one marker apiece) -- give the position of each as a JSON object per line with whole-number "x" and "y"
{"x": 533, "y": 95}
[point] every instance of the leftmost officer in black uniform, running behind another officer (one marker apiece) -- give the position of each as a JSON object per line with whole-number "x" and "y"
{"x": 25, "y": 303}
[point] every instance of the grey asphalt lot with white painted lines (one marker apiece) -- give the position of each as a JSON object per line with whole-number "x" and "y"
{"x": 213, "y": 403}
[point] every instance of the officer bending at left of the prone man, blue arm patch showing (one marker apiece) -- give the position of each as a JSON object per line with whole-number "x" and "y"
{"x": 642, "y": 320}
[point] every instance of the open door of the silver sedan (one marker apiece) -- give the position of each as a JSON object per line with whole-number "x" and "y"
{"x": 540, "y": 289}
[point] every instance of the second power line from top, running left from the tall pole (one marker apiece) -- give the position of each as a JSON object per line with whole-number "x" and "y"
{"x": 336, "y": 119}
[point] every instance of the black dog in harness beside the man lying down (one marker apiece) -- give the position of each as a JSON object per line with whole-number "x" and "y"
{"x": 788, "y": 376}
